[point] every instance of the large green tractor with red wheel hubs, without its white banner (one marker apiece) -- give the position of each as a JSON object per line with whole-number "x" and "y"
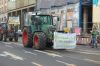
{"x": 38, "y": 31}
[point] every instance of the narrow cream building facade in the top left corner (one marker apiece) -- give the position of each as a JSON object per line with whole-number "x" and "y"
{"x": 3, "y": 10}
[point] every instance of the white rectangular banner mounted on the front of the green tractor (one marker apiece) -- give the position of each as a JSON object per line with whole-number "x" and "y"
{"x": 64, "y": 40}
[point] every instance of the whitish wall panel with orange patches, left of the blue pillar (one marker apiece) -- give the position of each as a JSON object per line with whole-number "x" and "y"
{"x": 73, "y": 15}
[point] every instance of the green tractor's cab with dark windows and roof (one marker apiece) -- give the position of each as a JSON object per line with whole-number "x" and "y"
{"x": 41, "y": 22}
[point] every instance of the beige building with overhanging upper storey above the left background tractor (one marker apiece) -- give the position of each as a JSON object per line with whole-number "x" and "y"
{"x": 19, "y": 8}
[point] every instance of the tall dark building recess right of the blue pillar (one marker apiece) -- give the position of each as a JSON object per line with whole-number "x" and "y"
{"x": 86, "y": 15}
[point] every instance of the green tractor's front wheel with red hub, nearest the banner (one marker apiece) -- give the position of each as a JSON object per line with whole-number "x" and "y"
{"x": 39, "y": 40}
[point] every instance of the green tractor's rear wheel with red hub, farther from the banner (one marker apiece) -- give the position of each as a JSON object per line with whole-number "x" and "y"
{"x": 27, "y": 39}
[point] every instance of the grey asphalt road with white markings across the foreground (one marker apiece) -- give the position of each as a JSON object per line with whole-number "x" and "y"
{"x": 14, "y": 54}
